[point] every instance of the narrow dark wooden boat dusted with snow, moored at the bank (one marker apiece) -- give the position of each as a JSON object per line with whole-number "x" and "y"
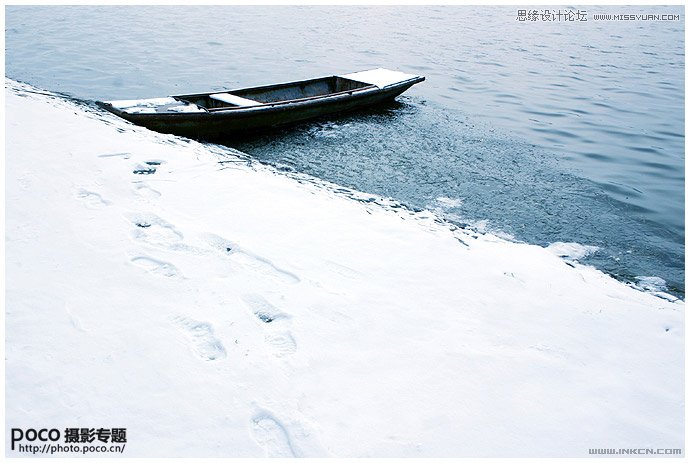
{"x": 222, "y": 115}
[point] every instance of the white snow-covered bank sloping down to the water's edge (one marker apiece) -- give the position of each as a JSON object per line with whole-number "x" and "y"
{"x": 221, "y": 309}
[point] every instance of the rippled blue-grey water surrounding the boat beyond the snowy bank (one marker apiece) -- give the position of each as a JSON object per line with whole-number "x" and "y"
{"x": 544, "y": 131}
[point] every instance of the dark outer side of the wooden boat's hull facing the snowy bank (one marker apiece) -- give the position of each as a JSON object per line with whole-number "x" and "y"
{"x": 220, "y": 125}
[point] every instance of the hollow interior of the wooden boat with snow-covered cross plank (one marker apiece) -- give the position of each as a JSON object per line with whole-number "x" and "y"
{"x": 274, "y": 93}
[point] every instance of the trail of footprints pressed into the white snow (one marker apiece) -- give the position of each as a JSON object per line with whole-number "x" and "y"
{"x": 154, "y": 231}
